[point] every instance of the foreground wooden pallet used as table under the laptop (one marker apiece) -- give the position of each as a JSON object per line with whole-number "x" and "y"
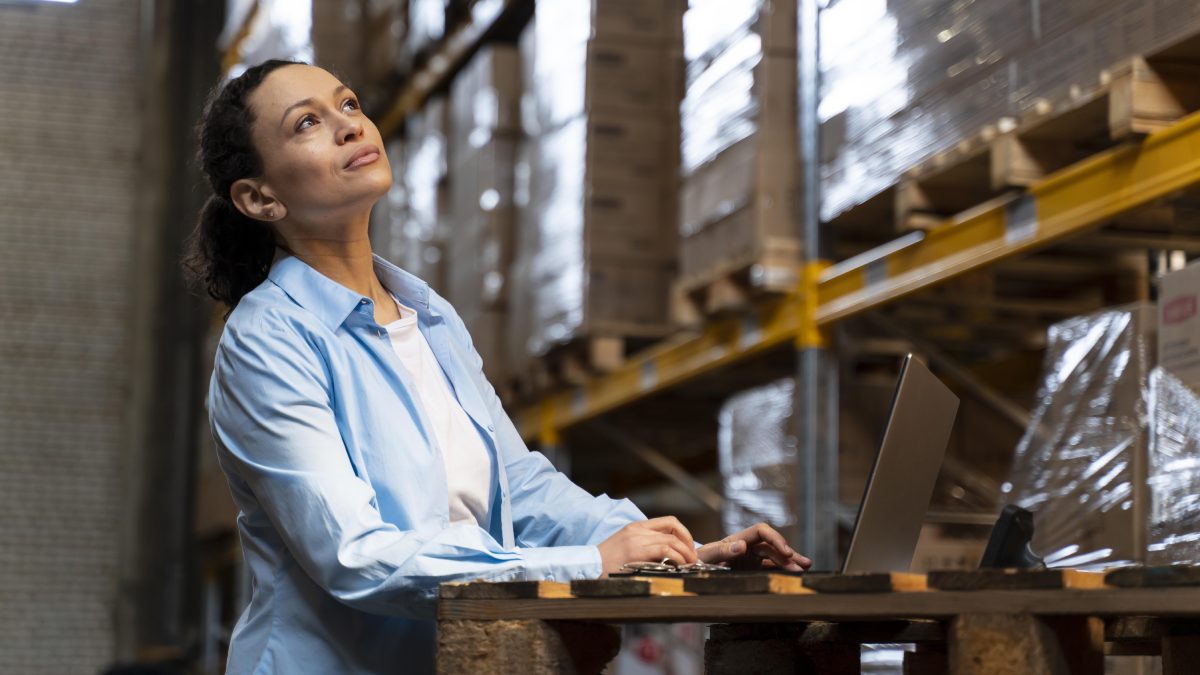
{"x": 1047, "y": 622}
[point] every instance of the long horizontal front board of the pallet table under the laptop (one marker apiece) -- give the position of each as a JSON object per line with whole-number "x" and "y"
{"x": 1094, "y": 602}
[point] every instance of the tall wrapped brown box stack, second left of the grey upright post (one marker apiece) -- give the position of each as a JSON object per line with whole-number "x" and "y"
{"x": 596, "y": 243}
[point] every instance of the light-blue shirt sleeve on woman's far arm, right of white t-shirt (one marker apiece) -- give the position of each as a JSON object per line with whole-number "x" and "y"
{"x": 548, "y": 509}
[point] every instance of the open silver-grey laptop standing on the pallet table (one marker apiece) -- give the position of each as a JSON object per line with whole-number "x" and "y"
{"x": 902, "y": 482}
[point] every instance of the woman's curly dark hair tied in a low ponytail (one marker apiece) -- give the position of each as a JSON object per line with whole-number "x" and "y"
{"x": 230, "y": 254}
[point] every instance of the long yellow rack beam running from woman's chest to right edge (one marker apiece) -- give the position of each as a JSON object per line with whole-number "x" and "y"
{"x": 1071, "y": 202}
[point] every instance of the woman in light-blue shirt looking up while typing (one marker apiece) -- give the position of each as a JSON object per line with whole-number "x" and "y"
{"x": 367, "y": 452}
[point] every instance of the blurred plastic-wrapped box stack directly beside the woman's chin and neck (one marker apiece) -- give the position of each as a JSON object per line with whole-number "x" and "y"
{"x": 407, "y": 226}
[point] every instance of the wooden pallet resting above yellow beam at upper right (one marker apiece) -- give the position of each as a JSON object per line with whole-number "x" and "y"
{"x": 1138, "y": 97}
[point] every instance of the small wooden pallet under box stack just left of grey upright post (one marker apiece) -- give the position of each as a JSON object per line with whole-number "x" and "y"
{"x": 736, "y": 286}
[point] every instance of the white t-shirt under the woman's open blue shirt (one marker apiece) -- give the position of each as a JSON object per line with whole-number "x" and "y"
{"x": 469, "y": 463}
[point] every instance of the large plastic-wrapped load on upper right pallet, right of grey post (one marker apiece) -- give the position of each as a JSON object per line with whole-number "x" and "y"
{"x": 905, "y": 80}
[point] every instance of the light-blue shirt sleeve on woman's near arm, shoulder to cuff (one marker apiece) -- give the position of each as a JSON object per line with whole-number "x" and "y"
{"x": 278, "y": 435}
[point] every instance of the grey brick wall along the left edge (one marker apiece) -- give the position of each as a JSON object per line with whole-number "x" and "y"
{"x": 70, "y": 144}
